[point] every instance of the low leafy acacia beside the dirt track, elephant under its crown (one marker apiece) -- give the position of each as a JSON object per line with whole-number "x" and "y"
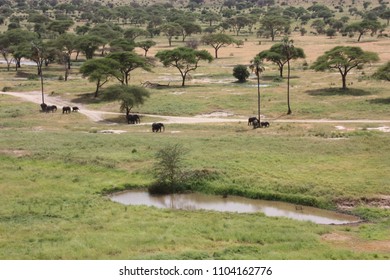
{"x": 128, "y": 96}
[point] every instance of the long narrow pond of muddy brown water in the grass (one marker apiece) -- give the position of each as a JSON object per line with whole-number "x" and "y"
{"x": 237, "y": 204}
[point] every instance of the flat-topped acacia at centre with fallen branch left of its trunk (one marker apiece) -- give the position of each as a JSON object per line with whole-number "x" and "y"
{"x": 184, "y": 59}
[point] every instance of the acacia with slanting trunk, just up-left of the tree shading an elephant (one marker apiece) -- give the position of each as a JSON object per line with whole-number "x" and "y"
{"x": 100, "y": 70}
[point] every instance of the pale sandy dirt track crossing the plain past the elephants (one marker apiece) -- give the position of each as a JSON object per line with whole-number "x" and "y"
{"x": 98, "y": 116}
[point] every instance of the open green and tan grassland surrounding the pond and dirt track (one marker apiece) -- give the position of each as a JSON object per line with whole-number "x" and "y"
{"x": 56, "y": 170}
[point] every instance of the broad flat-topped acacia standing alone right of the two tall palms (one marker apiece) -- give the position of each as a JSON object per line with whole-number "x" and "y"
{"x": 344, "y": 59}
